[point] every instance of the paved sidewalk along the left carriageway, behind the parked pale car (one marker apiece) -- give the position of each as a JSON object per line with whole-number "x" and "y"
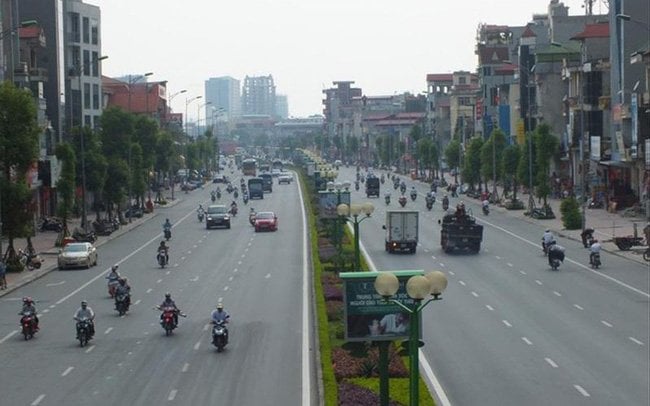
{"x": 44, "y": 245}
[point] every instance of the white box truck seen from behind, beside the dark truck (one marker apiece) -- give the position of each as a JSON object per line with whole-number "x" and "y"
{"x": 401, "y": 230}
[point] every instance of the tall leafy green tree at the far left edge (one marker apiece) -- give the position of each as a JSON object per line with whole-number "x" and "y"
{"x": 19, "y": 133}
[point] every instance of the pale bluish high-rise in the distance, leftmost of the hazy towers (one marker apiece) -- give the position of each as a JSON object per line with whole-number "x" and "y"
{"x": 223, "y": 95}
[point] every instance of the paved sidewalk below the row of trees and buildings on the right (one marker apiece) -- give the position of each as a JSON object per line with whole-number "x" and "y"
{"x": 606, "y": 225}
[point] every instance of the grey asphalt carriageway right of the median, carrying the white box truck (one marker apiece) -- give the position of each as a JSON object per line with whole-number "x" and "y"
{"x": 510, "y": 331}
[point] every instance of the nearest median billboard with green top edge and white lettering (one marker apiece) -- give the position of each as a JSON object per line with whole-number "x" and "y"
{"x": 368, "y": 317}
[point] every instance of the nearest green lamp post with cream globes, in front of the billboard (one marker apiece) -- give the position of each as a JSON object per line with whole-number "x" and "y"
{"x": 417, "y": 287}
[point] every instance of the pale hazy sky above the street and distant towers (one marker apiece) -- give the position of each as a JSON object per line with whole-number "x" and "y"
{"x": 386, "y": 47}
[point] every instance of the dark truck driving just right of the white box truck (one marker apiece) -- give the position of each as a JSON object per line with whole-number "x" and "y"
{"x": 460, "y": 232}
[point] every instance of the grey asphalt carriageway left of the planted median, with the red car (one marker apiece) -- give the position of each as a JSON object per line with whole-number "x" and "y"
{"x": 258, "y": 276}
